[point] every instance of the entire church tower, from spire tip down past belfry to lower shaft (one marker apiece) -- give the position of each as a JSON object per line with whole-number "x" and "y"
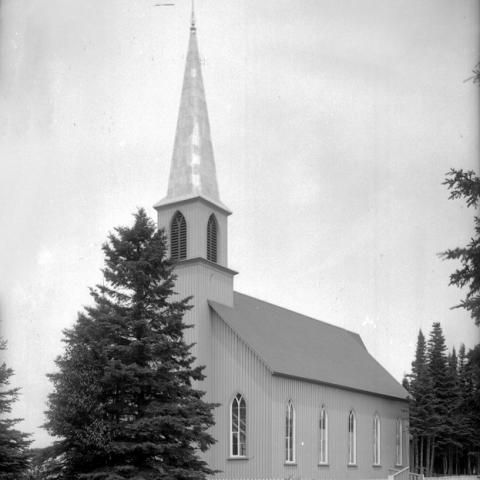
{"x": 194, "y": 218}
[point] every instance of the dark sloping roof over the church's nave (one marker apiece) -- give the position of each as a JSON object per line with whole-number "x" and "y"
{"x": 294, "y": 345}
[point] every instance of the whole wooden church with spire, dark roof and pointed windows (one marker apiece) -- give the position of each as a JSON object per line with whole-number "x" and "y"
{"x": 299, "y": 398}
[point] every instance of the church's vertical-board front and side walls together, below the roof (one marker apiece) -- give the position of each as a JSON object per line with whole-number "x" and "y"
{"x": 237, "y": 369}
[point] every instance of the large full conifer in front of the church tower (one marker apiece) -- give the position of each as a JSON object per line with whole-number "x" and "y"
{"x": 124, "y": 403}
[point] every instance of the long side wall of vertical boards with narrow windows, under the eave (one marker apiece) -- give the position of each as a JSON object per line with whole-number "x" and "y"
{"x": 308, "y": 399}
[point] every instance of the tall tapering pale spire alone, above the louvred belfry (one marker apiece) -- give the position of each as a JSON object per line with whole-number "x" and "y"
{"x": 192, "y": 171}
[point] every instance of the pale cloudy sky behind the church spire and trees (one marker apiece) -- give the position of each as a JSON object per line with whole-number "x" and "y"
{"x": 333, "y": 124}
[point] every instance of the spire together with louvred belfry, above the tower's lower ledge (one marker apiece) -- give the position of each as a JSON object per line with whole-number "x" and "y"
{"x": 192, "y": 214}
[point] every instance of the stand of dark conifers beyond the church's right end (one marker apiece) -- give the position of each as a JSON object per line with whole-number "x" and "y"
{"x": 444, "y": 407}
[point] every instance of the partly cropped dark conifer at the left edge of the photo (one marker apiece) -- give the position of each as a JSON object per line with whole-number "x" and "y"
{"x": 13, "y": 443}
